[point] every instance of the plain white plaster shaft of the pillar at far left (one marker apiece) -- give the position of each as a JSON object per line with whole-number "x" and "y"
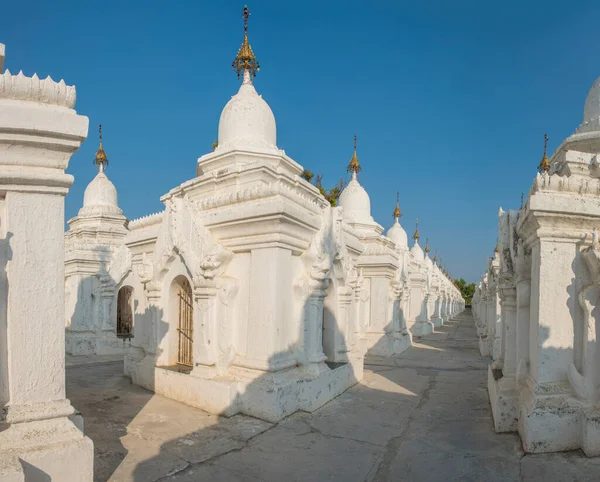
{"x": 36, "y": 274}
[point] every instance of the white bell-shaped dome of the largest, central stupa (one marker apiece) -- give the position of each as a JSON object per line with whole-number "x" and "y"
{"x": 247, "y": 120}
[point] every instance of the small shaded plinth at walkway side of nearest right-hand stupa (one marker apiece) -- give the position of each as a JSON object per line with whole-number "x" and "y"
{"x": 504, "y": 400}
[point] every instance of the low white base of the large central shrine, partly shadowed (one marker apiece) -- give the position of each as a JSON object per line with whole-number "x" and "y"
{"x": 270, "y": 397}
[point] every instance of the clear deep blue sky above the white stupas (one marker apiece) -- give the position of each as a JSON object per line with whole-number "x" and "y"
{"x": 450, "y": 100}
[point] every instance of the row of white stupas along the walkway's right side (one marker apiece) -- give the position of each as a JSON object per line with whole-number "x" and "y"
{"x": 537, "y": 305}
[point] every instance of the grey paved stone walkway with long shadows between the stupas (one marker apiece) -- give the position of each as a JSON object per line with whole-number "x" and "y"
{"x": 424, "y": 416}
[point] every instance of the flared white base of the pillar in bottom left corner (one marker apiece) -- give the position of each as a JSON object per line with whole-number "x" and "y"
{"x": 45, "y": 450}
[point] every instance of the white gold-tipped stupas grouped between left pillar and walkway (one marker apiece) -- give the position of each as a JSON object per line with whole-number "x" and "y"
{"x": 249, "y": 293}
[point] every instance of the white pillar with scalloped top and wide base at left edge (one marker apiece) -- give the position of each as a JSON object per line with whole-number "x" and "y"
{"x": 39, "y": 132}
